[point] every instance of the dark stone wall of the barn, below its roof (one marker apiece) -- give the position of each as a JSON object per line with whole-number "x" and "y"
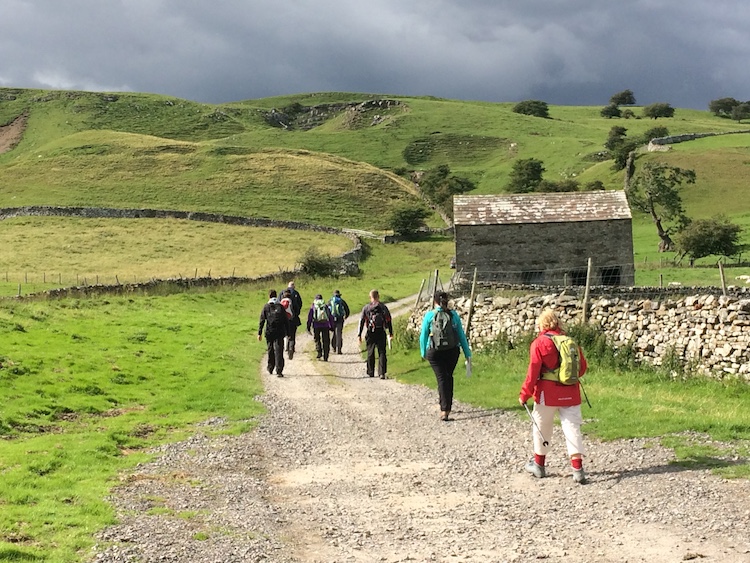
{"x": 548, "y": 253}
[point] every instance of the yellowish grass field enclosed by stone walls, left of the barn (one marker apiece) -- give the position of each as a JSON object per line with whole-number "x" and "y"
{"x": 44, "y": 252}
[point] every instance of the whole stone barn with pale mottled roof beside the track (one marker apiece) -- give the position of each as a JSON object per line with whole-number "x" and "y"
{"x": 545, "y": 239}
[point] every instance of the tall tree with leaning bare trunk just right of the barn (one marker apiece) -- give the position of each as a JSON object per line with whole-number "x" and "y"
{"x": 655, "y": 190}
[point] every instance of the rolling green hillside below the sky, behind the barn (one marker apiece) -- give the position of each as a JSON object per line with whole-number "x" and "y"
{"x": 328, "y": 158}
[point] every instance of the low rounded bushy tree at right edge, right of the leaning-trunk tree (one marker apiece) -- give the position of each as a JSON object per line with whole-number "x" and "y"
{"x": 717, "y": 236}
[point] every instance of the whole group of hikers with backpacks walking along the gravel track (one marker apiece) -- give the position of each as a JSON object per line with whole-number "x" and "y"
{"x": 556, "y": 362}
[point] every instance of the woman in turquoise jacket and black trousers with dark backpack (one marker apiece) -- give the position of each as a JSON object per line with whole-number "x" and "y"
{"x": 441, "y": 340}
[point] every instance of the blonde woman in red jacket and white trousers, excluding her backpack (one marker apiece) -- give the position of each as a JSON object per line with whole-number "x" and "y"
{"x": 551, "y": 396}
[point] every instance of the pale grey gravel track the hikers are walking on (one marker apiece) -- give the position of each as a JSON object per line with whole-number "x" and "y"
{"x": 347, "y": 468}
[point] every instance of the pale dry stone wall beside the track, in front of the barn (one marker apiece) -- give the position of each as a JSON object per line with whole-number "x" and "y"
{"x": 708, "y": 333}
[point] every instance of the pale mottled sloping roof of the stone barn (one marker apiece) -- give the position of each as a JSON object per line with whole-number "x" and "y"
{"x": 540, "y": 208}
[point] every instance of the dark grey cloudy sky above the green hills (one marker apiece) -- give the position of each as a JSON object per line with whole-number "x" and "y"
{"x": 569, "y": 52}
